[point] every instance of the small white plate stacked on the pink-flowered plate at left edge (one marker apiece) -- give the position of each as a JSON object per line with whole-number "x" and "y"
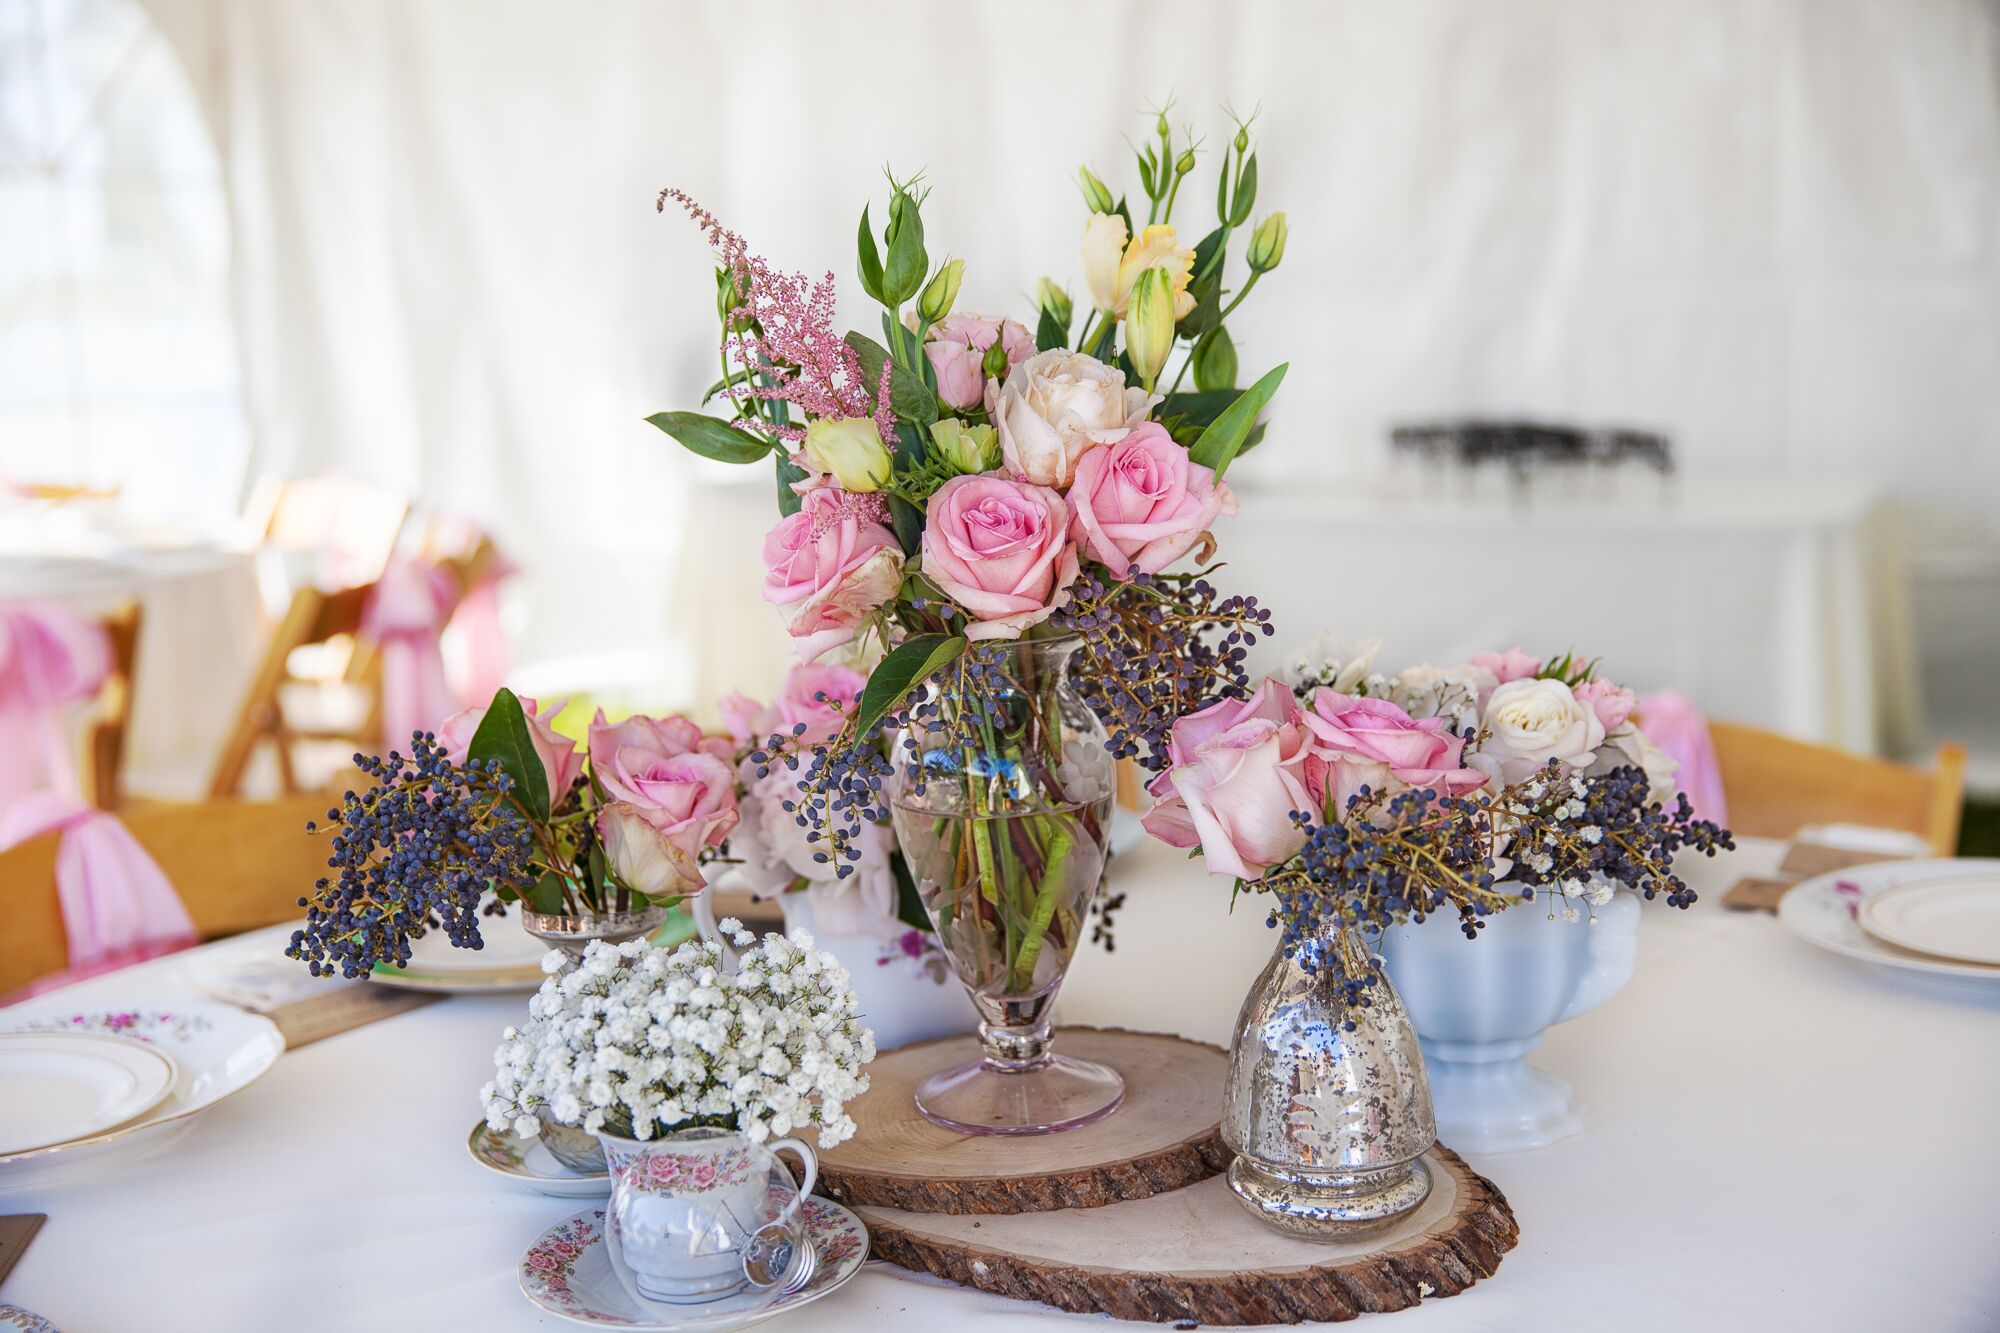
{"x": 73, "y": 1086}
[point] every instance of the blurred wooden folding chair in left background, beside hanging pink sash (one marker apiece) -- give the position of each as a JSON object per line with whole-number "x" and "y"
{"x": 313, "y": 619}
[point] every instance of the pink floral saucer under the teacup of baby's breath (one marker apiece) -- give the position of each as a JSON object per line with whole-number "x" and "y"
{"x": 569, "y": 1274}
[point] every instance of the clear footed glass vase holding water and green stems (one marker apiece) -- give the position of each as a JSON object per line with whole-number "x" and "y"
{"x": 1003, "y": 806}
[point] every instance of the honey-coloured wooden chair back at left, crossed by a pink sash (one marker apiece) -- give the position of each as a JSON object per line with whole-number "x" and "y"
{"x": 237, "y": 866}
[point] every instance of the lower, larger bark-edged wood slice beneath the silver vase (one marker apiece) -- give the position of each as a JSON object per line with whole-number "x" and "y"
{"x": 1199, "y": 1256}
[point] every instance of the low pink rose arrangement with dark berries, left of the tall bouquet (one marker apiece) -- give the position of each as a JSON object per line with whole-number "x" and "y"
{"x": 497, "y": 808}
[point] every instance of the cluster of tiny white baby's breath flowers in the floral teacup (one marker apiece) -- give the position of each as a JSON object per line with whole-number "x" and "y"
{"x": 643, "y": 1042}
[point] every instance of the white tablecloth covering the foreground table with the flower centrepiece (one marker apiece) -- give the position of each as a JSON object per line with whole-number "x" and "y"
{"x": 1775, "y": 1140}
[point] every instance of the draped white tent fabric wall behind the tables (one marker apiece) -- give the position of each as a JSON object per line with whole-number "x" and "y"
{"x": 1769, "y": 229}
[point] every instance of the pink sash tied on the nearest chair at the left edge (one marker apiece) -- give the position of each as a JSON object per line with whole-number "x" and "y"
{"x": 117, "y": 904}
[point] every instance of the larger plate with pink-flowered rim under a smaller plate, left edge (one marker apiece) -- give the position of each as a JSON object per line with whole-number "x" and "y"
{"x": 217, "y": 1052}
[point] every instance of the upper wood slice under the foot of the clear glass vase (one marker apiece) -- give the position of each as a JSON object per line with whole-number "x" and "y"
{"x": 1165, "y": 1136}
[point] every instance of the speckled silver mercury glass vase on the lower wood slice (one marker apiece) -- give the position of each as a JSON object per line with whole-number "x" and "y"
{"x": 1329, "y": 1126}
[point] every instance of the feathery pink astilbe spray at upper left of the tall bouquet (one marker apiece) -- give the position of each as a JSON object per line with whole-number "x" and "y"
{"x": 785, "y": 335}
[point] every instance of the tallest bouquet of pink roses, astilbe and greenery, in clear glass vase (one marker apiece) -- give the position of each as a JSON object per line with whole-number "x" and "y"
{"x": 973, "y": 479}
